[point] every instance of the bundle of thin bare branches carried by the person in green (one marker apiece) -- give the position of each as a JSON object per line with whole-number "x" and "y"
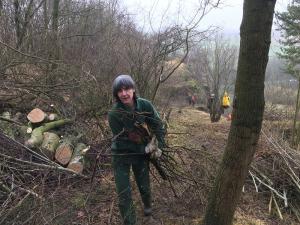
{"x": 177, "y": 163}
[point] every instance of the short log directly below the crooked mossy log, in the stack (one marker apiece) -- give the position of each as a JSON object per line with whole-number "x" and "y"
{"x": 49, "y": 145}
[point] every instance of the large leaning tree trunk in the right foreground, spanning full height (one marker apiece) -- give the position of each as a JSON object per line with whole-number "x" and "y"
{"x": 247, "y": 113}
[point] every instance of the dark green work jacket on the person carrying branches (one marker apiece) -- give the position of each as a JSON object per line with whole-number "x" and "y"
{"x": 121, "y": 117}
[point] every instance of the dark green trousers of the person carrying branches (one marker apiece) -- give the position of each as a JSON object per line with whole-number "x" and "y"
{"x": 140, "y": 170}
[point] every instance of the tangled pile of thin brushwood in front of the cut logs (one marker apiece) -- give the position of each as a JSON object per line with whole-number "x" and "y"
{"x": 30, "y": 184}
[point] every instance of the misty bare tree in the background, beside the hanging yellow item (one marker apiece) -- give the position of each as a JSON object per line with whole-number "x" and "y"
{"x": 213, "y": 64}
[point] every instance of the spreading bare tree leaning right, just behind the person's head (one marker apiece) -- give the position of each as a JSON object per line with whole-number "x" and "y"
{"x": 153, "y": 59}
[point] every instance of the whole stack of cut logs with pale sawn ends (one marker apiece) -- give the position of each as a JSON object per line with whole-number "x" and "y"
{"x": 44, "y": 134}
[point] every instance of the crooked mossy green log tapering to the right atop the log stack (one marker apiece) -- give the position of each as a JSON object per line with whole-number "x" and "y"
{"x": 37, "y": 134}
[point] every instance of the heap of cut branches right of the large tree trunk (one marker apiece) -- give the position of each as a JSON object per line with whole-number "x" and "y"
{"x": 277, "y": 172}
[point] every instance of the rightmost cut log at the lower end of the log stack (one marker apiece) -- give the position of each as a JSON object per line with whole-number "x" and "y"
{"x": 77, "y": 162}
